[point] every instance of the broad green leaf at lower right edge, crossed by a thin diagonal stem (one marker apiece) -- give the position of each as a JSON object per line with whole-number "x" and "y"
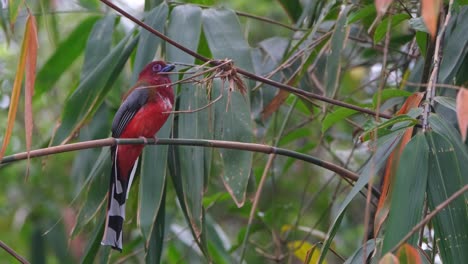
{"x": 446, "y": 177}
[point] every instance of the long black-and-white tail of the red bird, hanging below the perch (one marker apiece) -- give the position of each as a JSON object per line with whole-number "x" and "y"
{"x": 118, "y": 194}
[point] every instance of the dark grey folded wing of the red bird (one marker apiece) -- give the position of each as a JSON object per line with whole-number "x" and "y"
{"x": 134, "y": 101}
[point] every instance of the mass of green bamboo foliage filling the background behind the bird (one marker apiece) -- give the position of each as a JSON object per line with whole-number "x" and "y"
{"x": 89, "y": 57}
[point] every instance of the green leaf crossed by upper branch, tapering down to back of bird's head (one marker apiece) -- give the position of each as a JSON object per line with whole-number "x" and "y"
{"x": 149, "y": 43}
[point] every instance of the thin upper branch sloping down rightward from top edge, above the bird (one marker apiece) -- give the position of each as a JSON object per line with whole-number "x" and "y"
{"x": 301, "y": 93}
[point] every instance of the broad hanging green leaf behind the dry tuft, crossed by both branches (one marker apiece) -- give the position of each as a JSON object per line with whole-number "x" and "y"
{"x": 226, "y": 40}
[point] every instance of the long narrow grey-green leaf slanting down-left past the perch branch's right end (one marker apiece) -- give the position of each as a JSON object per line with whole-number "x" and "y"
{"x": 384, "y": 146}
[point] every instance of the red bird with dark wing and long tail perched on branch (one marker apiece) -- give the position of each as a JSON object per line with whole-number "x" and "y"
{"x": 144, "y": 110}
